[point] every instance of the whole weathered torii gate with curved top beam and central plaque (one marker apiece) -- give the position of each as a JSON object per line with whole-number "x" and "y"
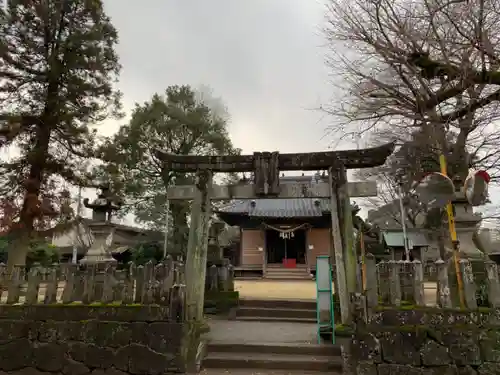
{"x": 266, "y": 167}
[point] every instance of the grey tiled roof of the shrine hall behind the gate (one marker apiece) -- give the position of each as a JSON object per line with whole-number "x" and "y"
{"x": 278, "y": 208}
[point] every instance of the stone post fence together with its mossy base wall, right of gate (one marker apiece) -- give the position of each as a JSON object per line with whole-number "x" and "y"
{"x": 394, "y": 332}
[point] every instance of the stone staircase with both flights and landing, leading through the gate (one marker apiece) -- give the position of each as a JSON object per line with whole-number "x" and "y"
{"x": 266, "y": 339}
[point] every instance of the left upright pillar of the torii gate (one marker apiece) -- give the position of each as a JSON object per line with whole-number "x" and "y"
{"x": 196, "y": 259}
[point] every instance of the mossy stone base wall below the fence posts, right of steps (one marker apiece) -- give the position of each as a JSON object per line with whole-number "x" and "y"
{"x": 426, "y": 342}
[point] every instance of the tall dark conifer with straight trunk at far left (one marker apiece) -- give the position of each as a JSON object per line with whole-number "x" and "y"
{"x": 57, "y": 69}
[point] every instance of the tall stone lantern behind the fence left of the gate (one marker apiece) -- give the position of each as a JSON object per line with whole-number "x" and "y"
{"x": 102, "y": 228}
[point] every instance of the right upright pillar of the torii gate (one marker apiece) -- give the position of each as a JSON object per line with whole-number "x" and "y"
{"x": 337, "y": 254}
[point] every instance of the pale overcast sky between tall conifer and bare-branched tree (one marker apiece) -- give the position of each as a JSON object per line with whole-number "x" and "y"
{"x": 262, "y": 57}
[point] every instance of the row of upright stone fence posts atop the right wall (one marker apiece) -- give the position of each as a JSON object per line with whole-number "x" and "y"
{"x": 396, "y": 283}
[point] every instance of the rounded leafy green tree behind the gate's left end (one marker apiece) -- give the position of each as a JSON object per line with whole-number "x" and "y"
{"x": 175, "y": 122}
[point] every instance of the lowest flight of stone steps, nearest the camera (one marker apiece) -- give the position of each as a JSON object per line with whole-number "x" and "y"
{"x": 301, "y": 358}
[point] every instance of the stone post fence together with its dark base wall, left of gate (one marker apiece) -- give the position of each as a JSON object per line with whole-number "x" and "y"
{"x": 95, "y": 319}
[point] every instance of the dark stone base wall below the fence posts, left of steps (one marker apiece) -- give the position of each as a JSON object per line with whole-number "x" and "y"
{"x": 78, "y": 340}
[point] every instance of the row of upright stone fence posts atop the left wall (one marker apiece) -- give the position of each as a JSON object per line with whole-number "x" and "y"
{"x": 161, "y": 284}
